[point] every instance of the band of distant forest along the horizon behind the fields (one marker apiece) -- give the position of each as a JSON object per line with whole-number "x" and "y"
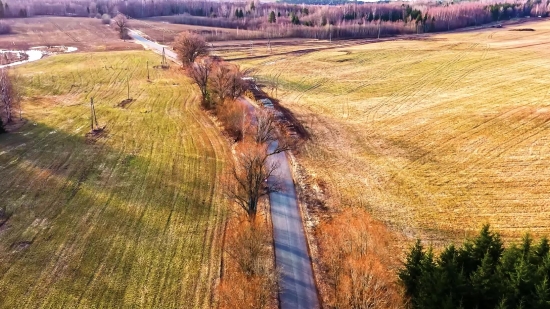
{"x": 279, "y": 20}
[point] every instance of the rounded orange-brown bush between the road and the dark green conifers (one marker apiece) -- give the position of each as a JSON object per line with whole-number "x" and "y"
{"x": 358, "y": 256}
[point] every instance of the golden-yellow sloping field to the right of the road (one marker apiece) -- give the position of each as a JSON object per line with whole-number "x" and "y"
{"x": 434, "y": 136}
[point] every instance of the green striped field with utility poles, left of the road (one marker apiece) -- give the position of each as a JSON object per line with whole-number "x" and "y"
{"x": 132, "y": 218}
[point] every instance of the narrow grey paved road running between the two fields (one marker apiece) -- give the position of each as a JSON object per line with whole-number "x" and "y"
{"x": 296, "y": 282}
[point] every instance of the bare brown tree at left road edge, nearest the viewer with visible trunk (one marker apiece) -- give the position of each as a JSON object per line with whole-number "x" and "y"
{"x": 249, "y": 177}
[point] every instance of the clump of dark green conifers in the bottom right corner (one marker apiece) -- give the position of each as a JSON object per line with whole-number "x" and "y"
{"x": 482, "y": 273}
